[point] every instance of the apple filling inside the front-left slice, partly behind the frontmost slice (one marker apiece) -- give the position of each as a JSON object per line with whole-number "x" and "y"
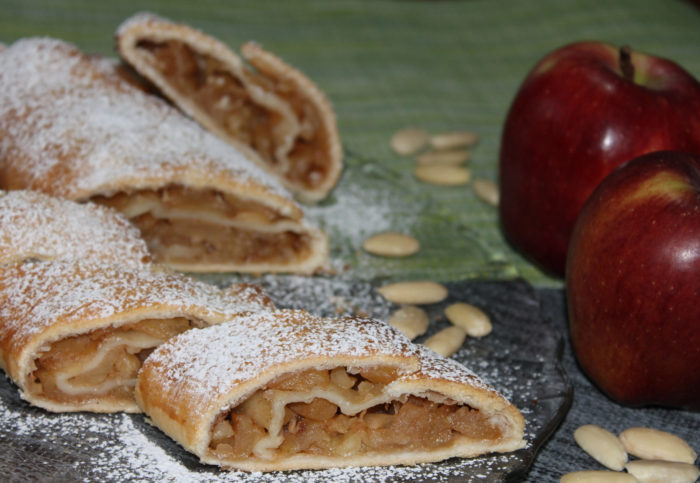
{"x": 102, "y": 363}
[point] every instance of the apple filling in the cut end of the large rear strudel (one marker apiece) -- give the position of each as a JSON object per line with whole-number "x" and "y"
{"x": 183, "y": 226}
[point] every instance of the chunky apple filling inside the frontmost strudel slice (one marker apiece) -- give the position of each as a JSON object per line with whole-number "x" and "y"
{"x": 340, "y": 413}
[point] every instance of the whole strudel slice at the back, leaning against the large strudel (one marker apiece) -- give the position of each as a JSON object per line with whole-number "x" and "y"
{"x": 266, "y": 106}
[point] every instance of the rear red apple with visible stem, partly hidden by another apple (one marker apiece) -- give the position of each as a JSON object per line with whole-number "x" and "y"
{"x": 581, "y": 112}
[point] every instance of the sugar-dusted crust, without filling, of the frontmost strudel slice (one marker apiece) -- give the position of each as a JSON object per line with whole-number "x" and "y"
{"x": 192, "y": 379}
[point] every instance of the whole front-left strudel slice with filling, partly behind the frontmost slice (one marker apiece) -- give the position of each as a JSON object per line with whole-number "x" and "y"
{"x": 74, "y": 335}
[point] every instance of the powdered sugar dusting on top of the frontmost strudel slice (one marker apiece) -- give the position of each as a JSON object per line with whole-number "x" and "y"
{"x": 211, "y": 361}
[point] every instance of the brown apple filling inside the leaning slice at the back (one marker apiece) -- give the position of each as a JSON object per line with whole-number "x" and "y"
{"x": 261, "y": 110}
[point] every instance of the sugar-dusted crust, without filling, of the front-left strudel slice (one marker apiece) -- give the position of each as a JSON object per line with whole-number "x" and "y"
{"x": 44, "y": 302}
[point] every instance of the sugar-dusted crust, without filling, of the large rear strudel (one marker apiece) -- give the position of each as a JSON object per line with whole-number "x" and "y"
{"x": 72, "y": 128}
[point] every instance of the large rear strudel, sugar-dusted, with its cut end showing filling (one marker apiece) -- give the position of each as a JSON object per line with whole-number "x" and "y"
{"x": 72, "y": 129}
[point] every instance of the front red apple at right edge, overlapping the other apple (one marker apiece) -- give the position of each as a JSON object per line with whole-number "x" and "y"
{"x": 633, "y": 282}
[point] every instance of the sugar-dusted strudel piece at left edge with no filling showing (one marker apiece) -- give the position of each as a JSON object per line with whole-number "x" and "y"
{"x": 34, "y": 225}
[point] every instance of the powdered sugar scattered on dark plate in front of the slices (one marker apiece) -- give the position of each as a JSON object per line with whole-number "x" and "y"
{"x": 116, "y": 448}
